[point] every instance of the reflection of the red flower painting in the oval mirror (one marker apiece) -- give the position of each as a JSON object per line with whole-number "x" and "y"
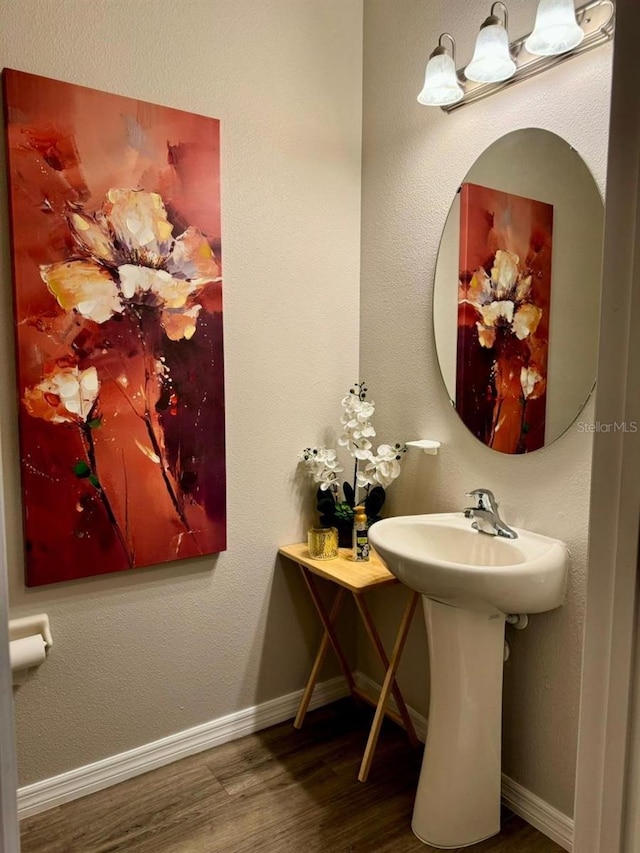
{"x": 503, "y": 317}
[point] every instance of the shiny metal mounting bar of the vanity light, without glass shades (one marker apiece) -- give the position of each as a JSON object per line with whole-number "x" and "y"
{"x": 597, "y": 20}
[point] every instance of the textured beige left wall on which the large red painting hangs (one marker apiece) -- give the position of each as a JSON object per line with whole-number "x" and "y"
{"x": 141, "y": 655}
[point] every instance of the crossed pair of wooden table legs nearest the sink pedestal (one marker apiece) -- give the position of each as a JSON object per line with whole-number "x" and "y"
{"x": 389, "y": 682}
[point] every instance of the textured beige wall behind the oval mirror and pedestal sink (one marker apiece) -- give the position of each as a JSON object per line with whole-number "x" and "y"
{"x": 413, "y": 161}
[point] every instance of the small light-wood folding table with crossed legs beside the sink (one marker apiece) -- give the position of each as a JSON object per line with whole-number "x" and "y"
{"x": 356, "y": 578}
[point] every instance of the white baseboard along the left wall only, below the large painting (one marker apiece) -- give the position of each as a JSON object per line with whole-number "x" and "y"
{"x": 52, "y": 792}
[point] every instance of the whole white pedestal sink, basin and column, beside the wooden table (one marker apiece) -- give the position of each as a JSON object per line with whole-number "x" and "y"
{"x": 470, "y": 582}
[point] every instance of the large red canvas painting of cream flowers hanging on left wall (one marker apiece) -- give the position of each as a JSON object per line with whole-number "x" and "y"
{"x": 118, "y": 304}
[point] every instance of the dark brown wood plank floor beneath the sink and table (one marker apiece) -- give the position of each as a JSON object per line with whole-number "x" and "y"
{"x": 278, "y": 791}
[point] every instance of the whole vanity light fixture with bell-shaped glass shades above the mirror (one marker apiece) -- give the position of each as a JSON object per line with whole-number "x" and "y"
{"x": 554, "y": 33}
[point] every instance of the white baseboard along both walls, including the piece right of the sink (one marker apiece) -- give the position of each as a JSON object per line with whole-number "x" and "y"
{"x": 49, "y": 793}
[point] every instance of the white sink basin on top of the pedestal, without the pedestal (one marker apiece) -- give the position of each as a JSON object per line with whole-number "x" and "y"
{"x": 442, "y": 557}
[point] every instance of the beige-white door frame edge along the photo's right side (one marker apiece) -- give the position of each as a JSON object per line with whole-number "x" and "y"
{"x": 603, "y": 740}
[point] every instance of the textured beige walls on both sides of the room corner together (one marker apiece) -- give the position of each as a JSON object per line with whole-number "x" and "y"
{"x": 142, "y": 655}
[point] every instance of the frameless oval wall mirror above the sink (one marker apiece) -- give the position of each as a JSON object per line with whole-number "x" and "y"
{"x": 531, "y": 164}
